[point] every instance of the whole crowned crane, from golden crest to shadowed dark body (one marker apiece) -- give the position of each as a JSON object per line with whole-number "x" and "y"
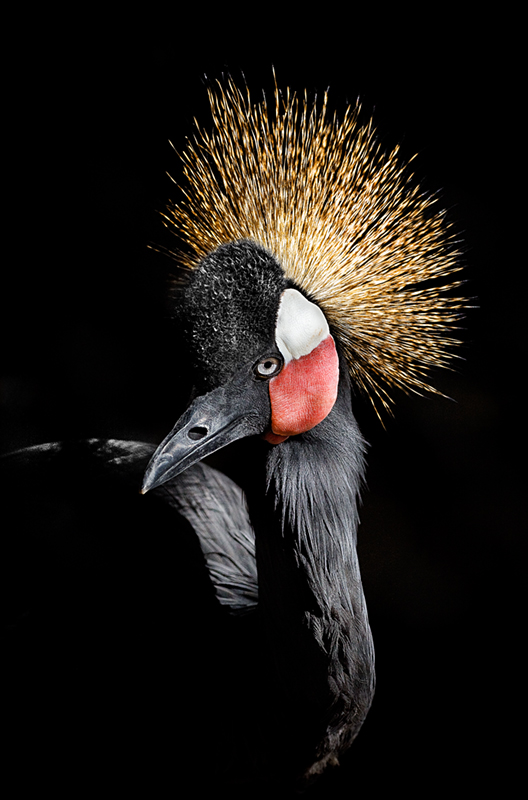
{"x": 303, "y": 247}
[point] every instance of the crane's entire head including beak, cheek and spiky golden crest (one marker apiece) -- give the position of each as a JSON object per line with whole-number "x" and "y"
{"x": 299, "y": 234}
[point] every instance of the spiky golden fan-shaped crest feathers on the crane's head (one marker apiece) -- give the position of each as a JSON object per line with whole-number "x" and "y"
{"x": 342, "y": 217}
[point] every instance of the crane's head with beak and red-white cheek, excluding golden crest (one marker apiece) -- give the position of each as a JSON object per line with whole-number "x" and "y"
{"x": 265, "y": 360}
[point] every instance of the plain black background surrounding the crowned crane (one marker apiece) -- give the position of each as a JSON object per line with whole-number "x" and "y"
{"x": 87, "y": 350}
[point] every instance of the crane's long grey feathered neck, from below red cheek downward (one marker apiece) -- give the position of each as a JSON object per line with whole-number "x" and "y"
{"x": 310, "y": 591}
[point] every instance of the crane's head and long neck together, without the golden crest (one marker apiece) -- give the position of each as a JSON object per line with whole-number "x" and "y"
{"x": 310, "y": 597}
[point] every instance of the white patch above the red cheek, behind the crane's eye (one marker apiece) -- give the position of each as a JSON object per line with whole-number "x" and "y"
{"x": 301, "y": 326}
